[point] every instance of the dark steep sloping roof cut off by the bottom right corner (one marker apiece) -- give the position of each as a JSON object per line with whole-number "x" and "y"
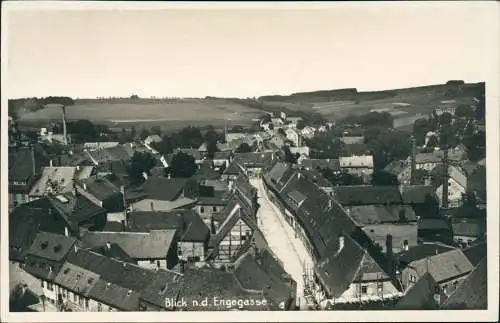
{"x": 472, "y": 293}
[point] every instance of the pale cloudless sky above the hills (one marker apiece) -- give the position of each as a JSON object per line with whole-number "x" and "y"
{"x": 244, "y": 52}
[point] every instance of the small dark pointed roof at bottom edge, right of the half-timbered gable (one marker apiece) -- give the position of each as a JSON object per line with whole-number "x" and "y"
{"x": 421, "y": 295}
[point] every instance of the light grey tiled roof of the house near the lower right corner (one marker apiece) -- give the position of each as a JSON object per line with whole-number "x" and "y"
{"x": 443, "y": 266}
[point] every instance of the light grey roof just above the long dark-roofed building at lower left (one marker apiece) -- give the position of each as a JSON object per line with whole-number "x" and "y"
{"x": 138, "y": 245}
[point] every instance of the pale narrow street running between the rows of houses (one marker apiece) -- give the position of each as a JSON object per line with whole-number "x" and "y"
{"x": 281, "y": 239}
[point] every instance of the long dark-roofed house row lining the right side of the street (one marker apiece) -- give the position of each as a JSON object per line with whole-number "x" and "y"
{"x": 349, "y": 266}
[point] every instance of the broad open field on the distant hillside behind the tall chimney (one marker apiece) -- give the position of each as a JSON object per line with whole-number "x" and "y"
{"x": 147, "y": 113}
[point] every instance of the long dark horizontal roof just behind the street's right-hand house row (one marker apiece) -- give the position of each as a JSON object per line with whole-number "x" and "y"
{"x": 365, "y": 195}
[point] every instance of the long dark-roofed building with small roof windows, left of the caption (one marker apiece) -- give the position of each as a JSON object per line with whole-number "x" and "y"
{"x": 89, "y": 281}
